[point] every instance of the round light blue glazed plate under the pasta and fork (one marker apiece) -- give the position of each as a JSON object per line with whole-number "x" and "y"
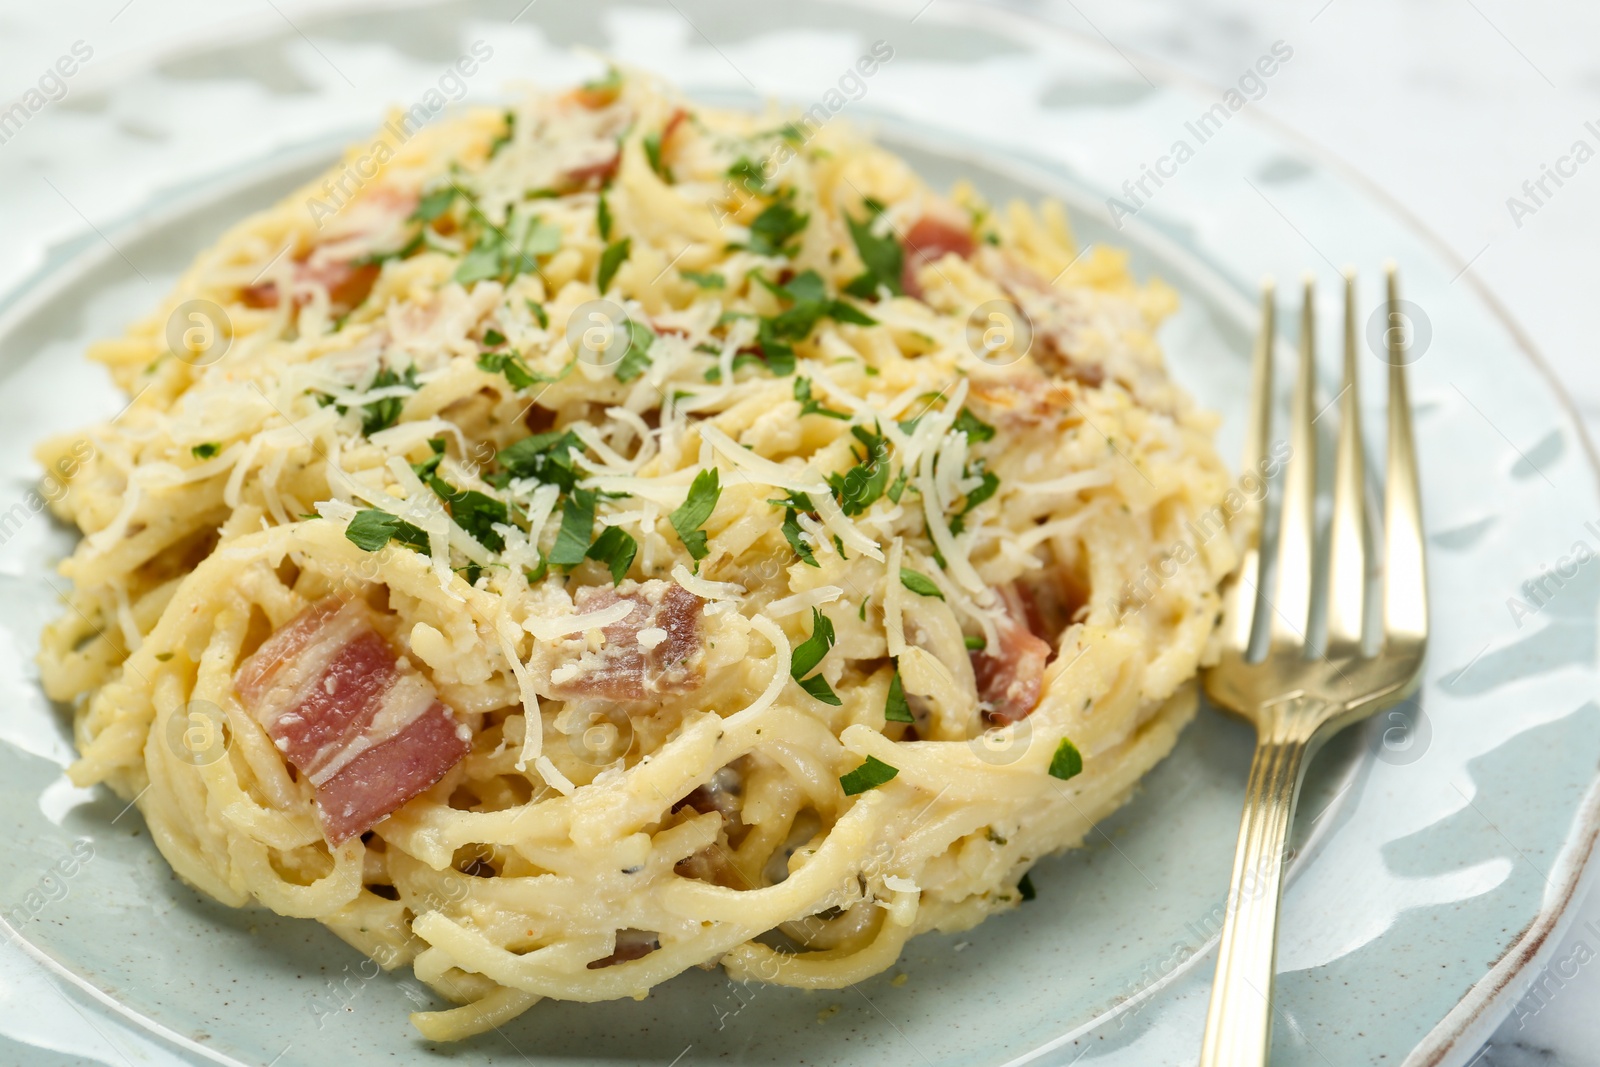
{"x": 1439, "y": 847}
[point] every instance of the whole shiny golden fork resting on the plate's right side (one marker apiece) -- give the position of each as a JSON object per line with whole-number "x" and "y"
{"x": 1295, "y": 697}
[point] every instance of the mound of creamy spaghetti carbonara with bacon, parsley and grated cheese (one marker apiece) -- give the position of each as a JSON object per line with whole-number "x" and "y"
{"x": 572, "y": 545}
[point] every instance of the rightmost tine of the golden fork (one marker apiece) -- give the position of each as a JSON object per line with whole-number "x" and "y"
{"x": 1406, "y": 577}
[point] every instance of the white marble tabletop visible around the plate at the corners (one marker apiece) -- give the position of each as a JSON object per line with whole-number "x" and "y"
{"x": 1449, "y": 105}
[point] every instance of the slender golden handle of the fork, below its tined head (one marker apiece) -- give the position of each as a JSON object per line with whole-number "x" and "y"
{"x": 1239, "y": 1021}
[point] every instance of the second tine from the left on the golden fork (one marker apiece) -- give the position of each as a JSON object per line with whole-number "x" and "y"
{"x": 1297, "y": 529}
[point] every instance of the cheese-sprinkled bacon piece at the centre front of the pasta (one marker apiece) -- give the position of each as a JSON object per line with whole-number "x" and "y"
{"x": 625, "y": 669}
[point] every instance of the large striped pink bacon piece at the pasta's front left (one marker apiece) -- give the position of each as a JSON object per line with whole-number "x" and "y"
{"x": 364, "y": 727}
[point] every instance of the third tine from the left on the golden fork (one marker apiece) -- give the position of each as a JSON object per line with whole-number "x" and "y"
{"x": 1348, "y": 545}
